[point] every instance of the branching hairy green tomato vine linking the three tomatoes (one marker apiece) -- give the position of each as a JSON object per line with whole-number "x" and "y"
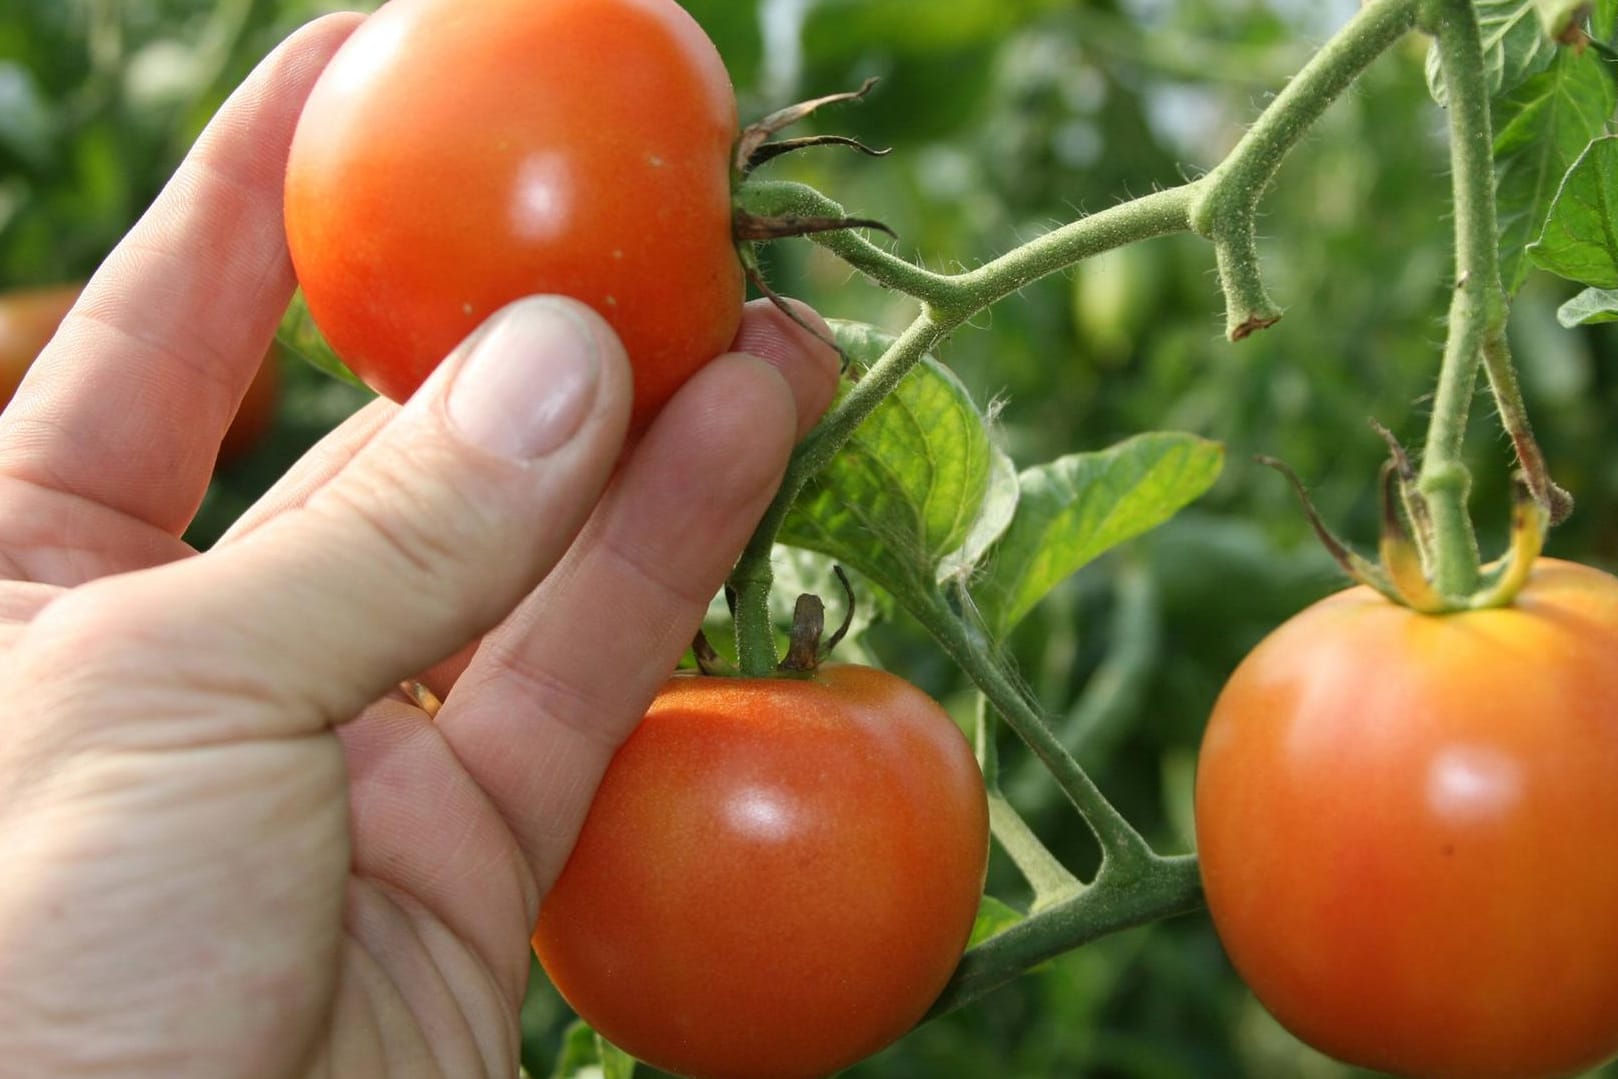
{"x": 1135, "y": 884}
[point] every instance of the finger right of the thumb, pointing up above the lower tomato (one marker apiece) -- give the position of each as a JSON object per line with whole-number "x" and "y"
{"x": 556, "y": 690}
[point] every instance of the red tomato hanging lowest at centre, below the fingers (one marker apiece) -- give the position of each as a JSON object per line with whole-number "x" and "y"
{"x": 777, "y": 876}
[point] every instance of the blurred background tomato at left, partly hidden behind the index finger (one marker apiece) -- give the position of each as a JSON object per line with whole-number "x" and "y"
{"x": 30, "y": 319}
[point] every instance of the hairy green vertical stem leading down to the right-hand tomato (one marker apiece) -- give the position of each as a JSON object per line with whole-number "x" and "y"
{"x": 1478, "y": 310}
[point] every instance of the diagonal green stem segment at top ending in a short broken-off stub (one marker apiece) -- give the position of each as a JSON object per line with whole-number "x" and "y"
{"x": 1230, "y": 195}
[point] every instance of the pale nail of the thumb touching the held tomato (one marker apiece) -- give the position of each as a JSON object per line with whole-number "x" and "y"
{"x": 528, "y": 383}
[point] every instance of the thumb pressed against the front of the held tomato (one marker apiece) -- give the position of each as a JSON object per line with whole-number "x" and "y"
{"x": 431, "y": 536}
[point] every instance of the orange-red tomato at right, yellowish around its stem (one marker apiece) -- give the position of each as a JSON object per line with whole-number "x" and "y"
{"x": 1408, "y": 831}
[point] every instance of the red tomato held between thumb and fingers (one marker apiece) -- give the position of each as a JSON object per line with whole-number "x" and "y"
{"x": 459, "y": 156}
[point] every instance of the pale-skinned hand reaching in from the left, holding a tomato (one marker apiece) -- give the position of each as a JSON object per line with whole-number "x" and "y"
{"x": 226, "y": 847}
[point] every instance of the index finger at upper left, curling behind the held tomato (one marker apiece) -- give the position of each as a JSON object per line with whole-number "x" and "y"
{"x": 130, "y": 402}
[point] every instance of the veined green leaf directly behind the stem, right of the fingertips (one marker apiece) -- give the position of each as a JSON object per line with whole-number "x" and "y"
{"x": 909, "y": 488}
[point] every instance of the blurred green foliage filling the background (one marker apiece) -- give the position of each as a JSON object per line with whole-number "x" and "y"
{"x": 1007, "y": 117}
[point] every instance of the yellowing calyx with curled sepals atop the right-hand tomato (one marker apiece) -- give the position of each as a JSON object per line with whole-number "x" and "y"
{"x": 1404, "y": 572}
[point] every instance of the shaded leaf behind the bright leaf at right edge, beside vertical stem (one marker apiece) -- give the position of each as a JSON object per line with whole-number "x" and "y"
{"x": 1541, "y": 130}
